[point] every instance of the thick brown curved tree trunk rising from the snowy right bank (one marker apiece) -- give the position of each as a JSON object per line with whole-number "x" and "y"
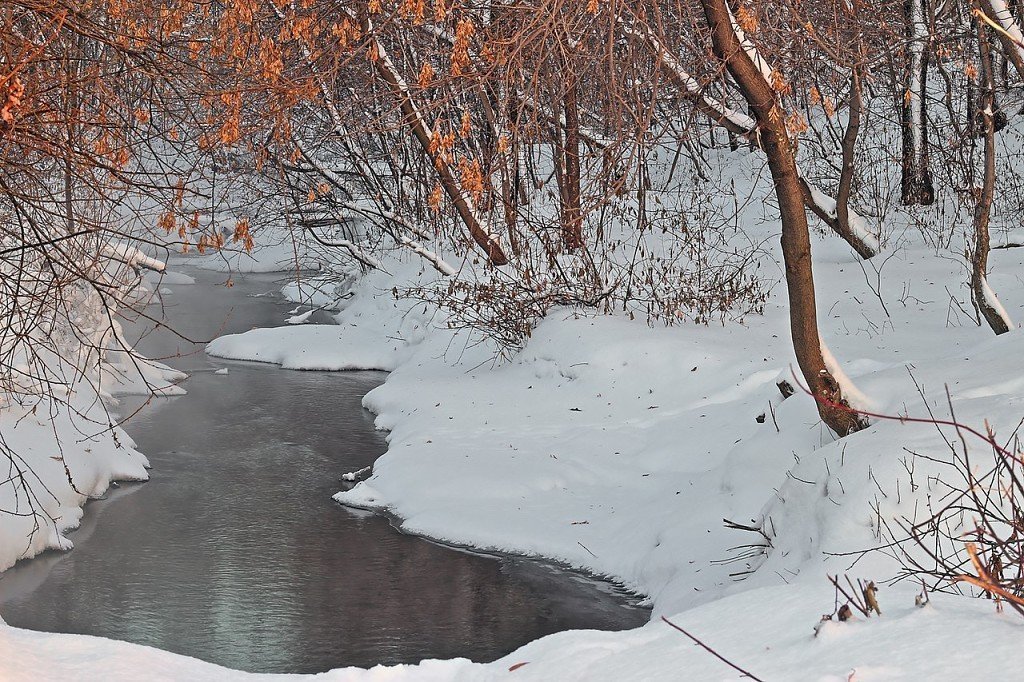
{"x": 796, "y": 240}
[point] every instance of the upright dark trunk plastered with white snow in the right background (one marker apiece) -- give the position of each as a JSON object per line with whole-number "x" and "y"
{"x": 917, "y": 179}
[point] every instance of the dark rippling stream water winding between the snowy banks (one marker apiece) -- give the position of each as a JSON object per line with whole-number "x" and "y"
{"x": 235, "y": 553}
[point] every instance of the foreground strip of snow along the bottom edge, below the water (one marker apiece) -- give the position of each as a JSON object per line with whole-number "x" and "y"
{"x": 769, "y": 632}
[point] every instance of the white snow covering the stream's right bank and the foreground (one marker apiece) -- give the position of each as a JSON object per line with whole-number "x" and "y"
{"x": 620, "y": 449}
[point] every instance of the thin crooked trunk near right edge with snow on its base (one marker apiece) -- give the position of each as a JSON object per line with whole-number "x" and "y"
{"x": 985, "y": 299}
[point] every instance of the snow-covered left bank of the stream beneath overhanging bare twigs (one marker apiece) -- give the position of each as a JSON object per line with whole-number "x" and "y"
{"x": 59, "y": 438}
